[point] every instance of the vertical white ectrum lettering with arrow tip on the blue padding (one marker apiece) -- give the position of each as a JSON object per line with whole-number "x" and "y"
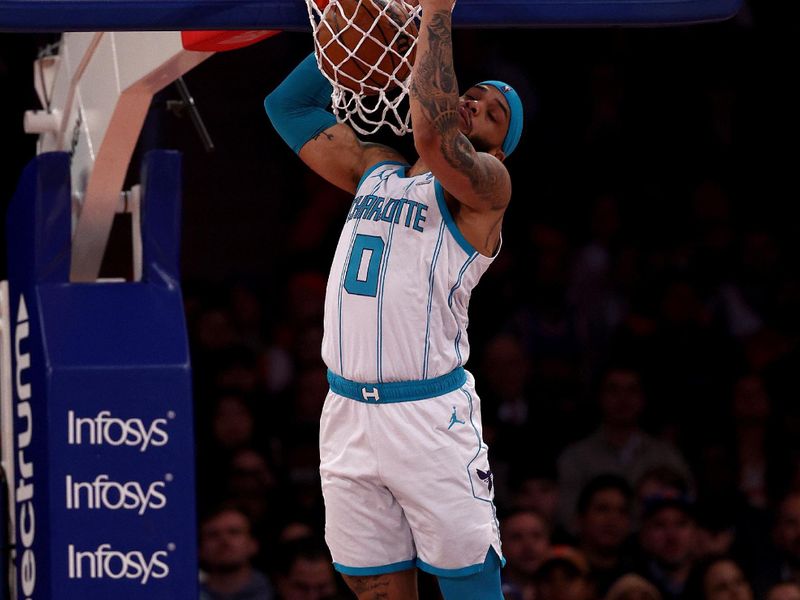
{"x": 26, "y": 521}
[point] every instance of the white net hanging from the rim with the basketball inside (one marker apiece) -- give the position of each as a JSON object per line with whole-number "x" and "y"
{"x": 366, "y": 49}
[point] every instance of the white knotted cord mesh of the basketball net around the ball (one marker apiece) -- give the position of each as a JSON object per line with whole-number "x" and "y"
{"x": 371, "y": 107}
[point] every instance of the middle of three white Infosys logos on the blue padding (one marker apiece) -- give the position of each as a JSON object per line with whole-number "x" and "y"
{"x": 104, "y": 494}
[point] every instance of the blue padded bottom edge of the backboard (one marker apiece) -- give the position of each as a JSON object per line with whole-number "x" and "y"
{"x": 164, "y": 15}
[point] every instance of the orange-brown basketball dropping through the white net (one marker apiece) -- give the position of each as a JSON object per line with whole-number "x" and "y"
{"x": 366, "y": 45}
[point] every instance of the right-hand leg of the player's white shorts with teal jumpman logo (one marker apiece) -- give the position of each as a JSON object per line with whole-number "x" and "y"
{"x": 435, "y": 463}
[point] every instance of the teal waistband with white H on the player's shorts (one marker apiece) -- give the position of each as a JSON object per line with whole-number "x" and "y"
{"x": 397, "y": 391}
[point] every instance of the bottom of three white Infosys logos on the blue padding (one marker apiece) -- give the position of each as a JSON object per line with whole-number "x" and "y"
{"x": 107, "y": 563}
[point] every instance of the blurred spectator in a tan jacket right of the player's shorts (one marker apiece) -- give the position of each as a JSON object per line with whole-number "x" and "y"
{"x": 619, "y": 445}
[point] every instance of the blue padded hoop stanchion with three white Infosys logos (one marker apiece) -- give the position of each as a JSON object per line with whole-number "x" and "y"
{"x": 104, "y": 468}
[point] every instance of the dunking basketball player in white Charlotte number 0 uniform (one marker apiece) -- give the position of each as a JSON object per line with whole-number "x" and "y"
{"x": 405, "y": 474}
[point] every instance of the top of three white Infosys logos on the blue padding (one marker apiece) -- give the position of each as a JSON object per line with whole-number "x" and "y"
{"x": 106, "y": 429}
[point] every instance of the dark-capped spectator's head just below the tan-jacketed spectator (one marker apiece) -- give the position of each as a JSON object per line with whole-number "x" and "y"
{"x": 667, "y": 538}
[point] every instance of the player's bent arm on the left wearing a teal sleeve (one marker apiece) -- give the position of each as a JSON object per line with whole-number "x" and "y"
{"x": 297, "y": 109}
